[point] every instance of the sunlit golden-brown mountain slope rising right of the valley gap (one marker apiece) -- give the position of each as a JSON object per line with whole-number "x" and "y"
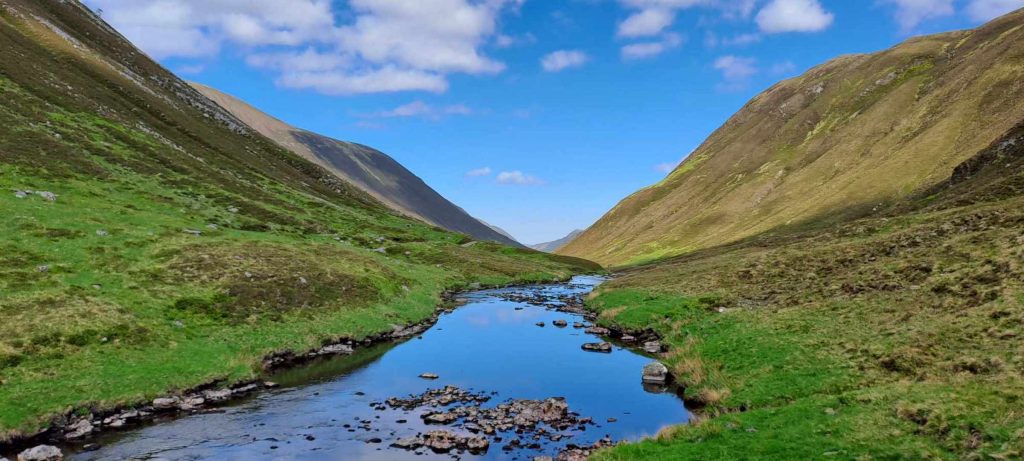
{"x": 857, "y": 133}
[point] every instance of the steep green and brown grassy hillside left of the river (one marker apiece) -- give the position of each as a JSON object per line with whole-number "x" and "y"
{"x": 152, "y": 242}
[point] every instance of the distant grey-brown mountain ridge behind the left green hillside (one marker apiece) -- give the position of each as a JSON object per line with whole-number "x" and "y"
{"x": 369, "y": 170}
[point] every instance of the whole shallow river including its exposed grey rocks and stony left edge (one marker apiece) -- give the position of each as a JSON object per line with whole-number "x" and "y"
{"x": 484, "y": 383}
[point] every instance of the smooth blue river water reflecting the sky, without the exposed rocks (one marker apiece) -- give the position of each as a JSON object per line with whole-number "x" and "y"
{"x": 487, "y": 346}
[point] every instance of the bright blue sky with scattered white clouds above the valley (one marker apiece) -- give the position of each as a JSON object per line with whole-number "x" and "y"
{"x": 537, "y": 116}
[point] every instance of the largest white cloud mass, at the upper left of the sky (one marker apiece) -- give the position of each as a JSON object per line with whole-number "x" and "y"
{"x": 385, "y": 46}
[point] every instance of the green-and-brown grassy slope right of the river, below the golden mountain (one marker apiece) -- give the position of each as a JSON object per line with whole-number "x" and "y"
{"x": 897, "y": 337}
